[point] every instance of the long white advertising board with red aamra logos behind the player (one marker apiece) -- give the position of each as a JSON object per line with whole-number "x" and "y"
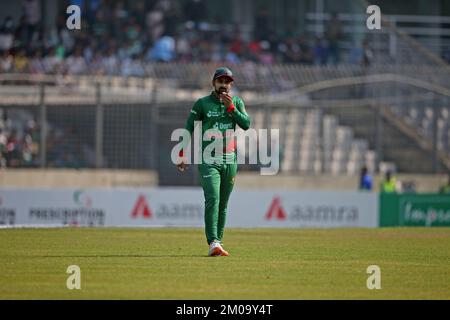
{"x": 185, "y": 207}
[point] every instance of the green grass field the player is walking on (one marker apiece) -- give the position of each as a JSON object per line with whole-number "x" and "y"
{"x": 172, "y": 263}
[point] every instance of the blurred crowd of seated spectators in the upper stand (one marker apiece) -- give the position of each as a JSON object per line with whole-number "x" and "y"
{"x": 118, "y": 37}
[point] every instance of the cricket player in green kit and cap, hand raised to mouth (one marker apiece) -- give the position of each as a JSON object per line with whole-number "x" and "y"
{"x": 219, "y": 111}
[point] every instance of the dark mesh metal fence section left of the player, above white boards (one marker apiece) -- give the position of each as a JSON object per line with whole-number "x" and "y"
{"x": 81, "y": 135}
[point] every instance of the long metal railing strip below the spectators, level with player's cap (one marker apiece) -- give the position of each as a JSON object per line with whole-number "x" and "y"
{"x": 270, "y": 79}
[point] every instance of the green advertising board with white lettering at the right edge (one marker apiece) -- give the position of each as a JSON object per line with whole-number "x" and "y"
{"x": 424, "y": 210}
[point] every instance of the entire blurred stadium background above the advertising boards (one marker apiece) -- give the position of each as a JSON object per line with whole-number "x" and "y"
{"x": 95, "y": 107}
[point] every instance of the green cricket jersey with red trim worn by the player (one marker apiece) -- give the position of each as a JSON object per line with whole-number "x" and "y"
{"x": 213, "y": 115}
